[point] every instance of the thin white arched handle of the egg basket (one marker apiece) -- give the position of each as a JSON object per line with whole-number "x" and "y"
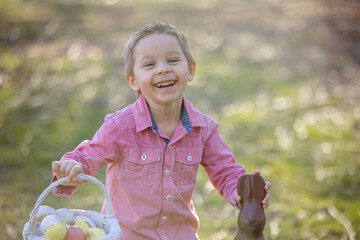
{"x": 109, "y": 213}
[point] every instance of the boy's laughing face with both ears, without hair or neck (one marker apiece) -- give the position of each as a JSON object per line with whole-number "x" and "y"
{"x": 161, "y": 70}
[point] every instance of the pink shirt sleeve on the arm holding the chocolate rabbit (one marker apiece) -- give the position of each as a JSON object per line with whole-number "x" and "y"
{"x": 219, "y": 163}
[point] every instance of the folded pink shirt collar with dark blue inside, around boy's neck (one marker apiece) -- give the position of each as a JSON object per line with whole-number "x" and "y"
{"x": 190, "y": 115}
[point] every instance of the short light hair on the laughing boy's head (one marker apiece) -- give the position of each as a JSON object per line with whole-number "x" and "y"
{"x": 159, "y": 27}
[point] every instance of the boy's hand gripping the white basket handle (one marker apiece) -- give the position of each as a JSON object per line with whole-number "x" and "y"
{"x": 68, "y": 168}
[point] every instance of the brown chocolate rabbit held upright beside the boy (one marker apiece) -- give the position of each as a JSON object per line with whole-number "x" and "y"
{"x": 251, "y": 220}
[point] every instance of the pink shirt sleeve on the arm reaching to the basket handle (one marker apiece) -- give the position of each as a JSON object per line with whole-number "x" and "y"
{"x": 94, "y": 154}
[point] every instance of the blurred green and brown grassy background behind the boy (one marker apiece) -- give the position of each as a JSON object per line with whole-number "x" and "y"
{"x": 281, "y": 77}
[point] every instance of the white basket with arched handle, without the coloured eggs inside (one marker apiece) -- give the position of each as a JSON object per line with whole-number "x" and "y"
{"x": 106, "y": 222}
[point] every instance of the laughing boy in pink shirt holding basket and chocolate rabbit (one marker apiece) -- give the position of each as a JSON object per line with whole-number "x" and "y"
{"x": 153, "y": 147}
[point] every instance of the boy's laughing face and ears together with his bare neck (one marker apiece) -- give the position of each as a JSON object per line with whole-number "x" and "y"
{"x": 161, "y": 73}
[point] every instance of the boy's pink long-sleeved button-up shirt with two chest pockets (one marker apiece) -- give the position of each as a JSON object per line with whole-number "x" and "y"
{"x": 151, "y": 178}
